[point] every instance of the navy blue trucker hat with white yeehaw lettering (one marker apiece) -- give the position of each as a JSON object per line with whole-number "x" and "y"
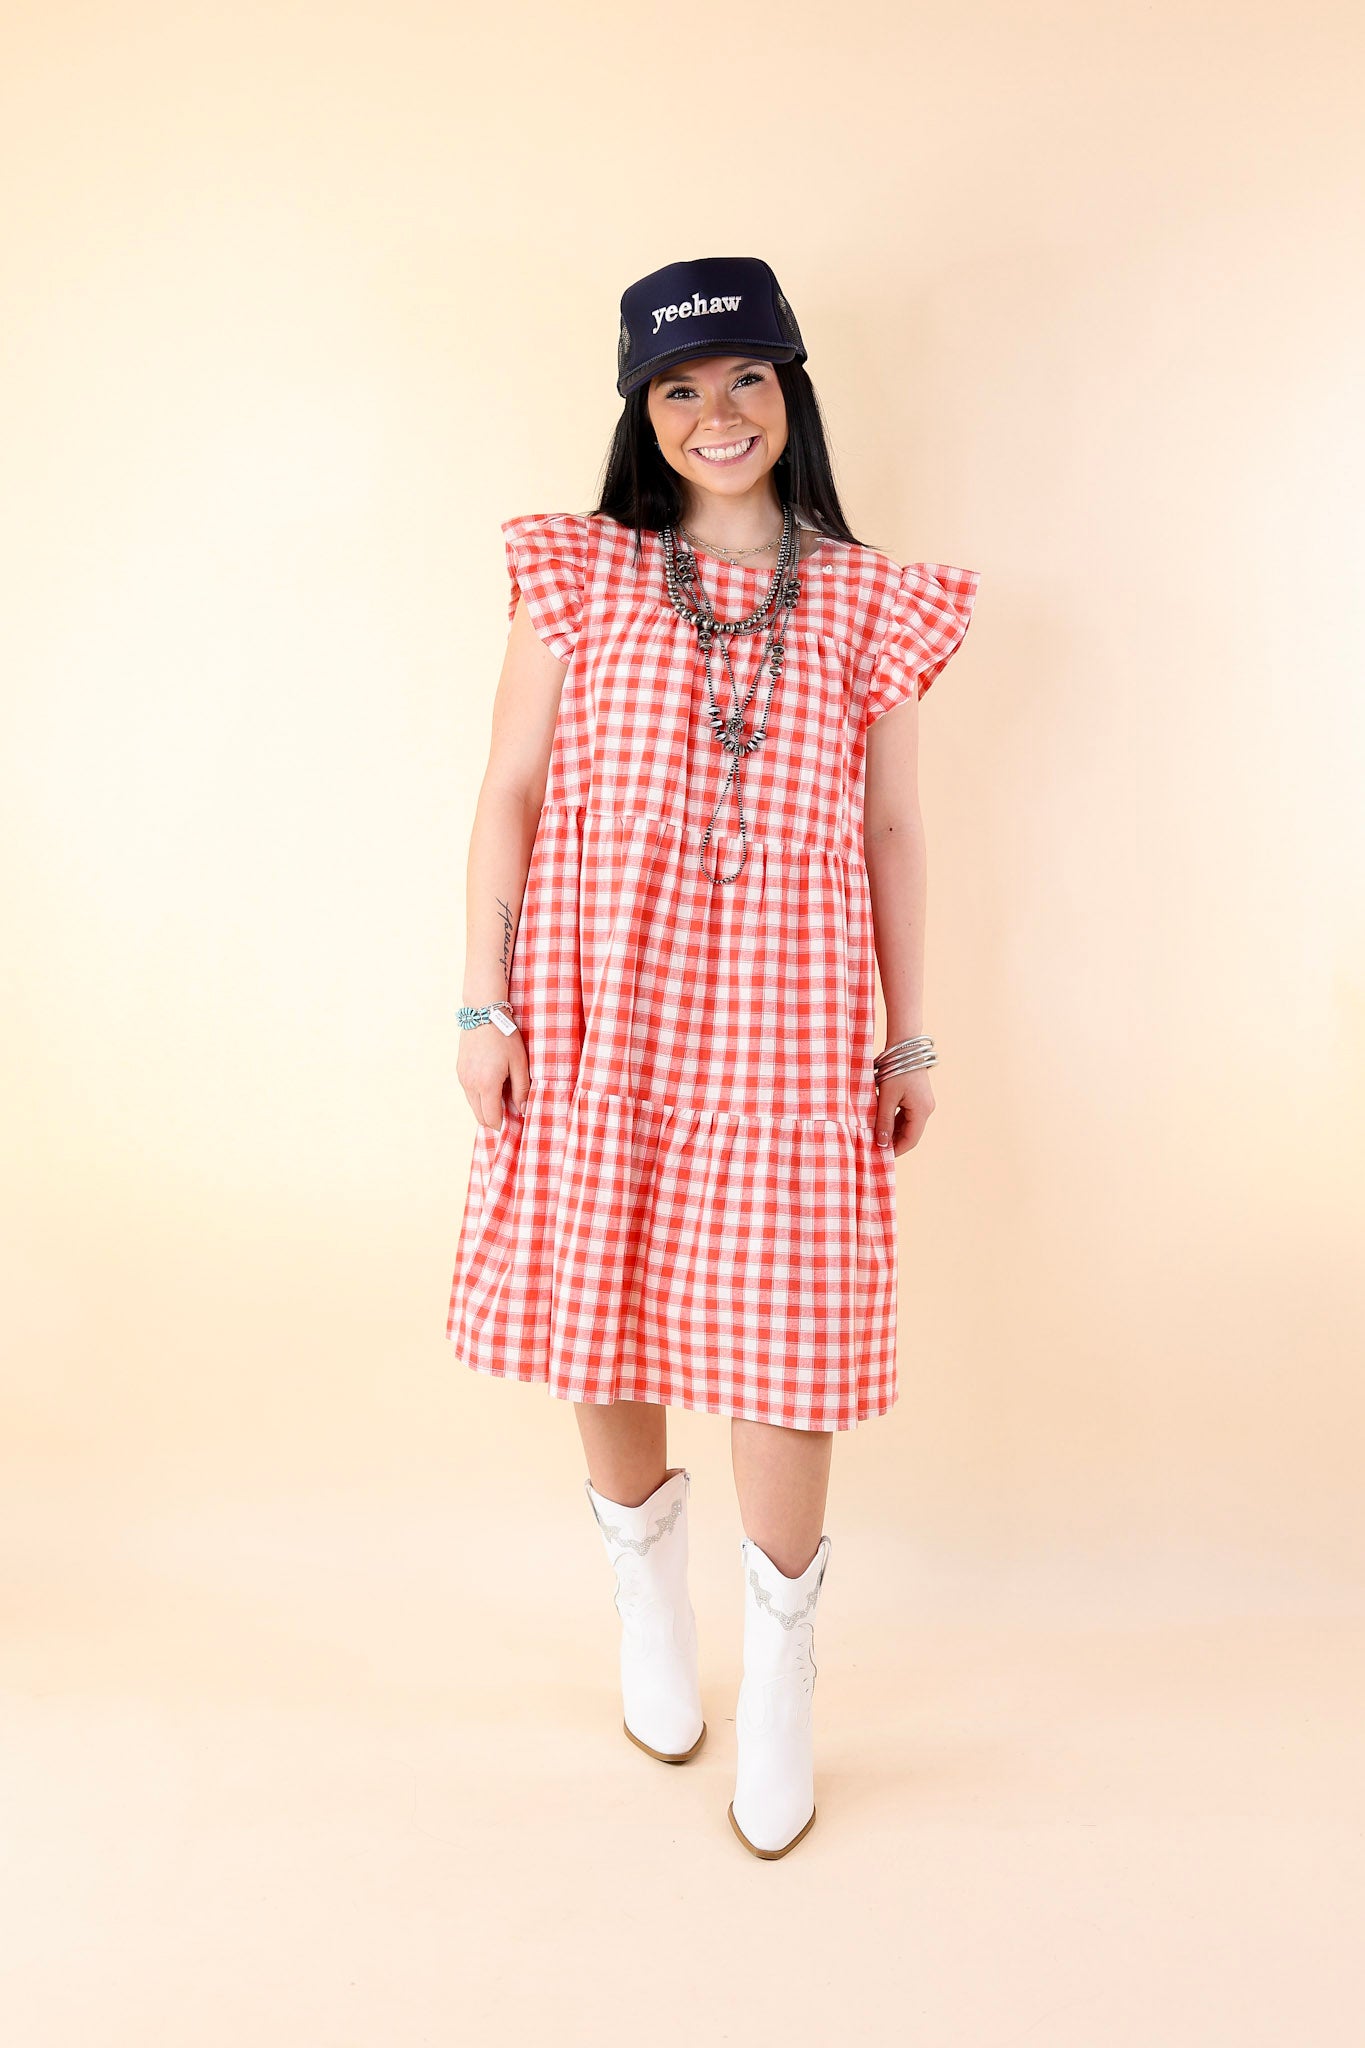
{"x": 715, "y": 306}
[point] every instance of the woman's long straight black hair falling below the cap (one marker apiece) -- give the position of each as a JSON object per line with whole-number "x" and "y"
{"x": 646, "y": 493}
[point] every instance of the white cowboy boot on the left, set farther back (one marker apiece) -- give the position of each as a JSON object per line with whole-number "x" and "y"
{"x": 658, "y": 1629}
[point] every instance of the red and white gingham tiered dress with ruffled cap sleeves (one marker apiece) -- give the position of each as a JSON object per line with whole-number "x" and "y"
{"x": 695, "y": 1209}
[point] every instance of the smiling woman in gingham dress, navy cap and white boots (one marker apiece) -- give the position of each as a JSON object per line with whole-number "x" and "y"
{"x": 699, "y": 1205}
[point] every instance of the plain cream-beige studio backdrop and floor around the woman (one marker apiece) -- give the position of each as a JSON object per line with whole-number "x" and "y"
{"x": 308, "y": 1668}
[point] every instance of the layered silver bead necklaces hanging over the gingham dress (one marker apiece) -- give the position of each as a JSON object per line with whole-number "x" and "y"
{"x": 689, "y": 599}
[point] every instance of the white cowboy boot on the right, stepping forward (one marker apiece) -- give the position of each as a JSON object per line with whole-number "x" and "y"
{"x": 775, "y": 1781}
